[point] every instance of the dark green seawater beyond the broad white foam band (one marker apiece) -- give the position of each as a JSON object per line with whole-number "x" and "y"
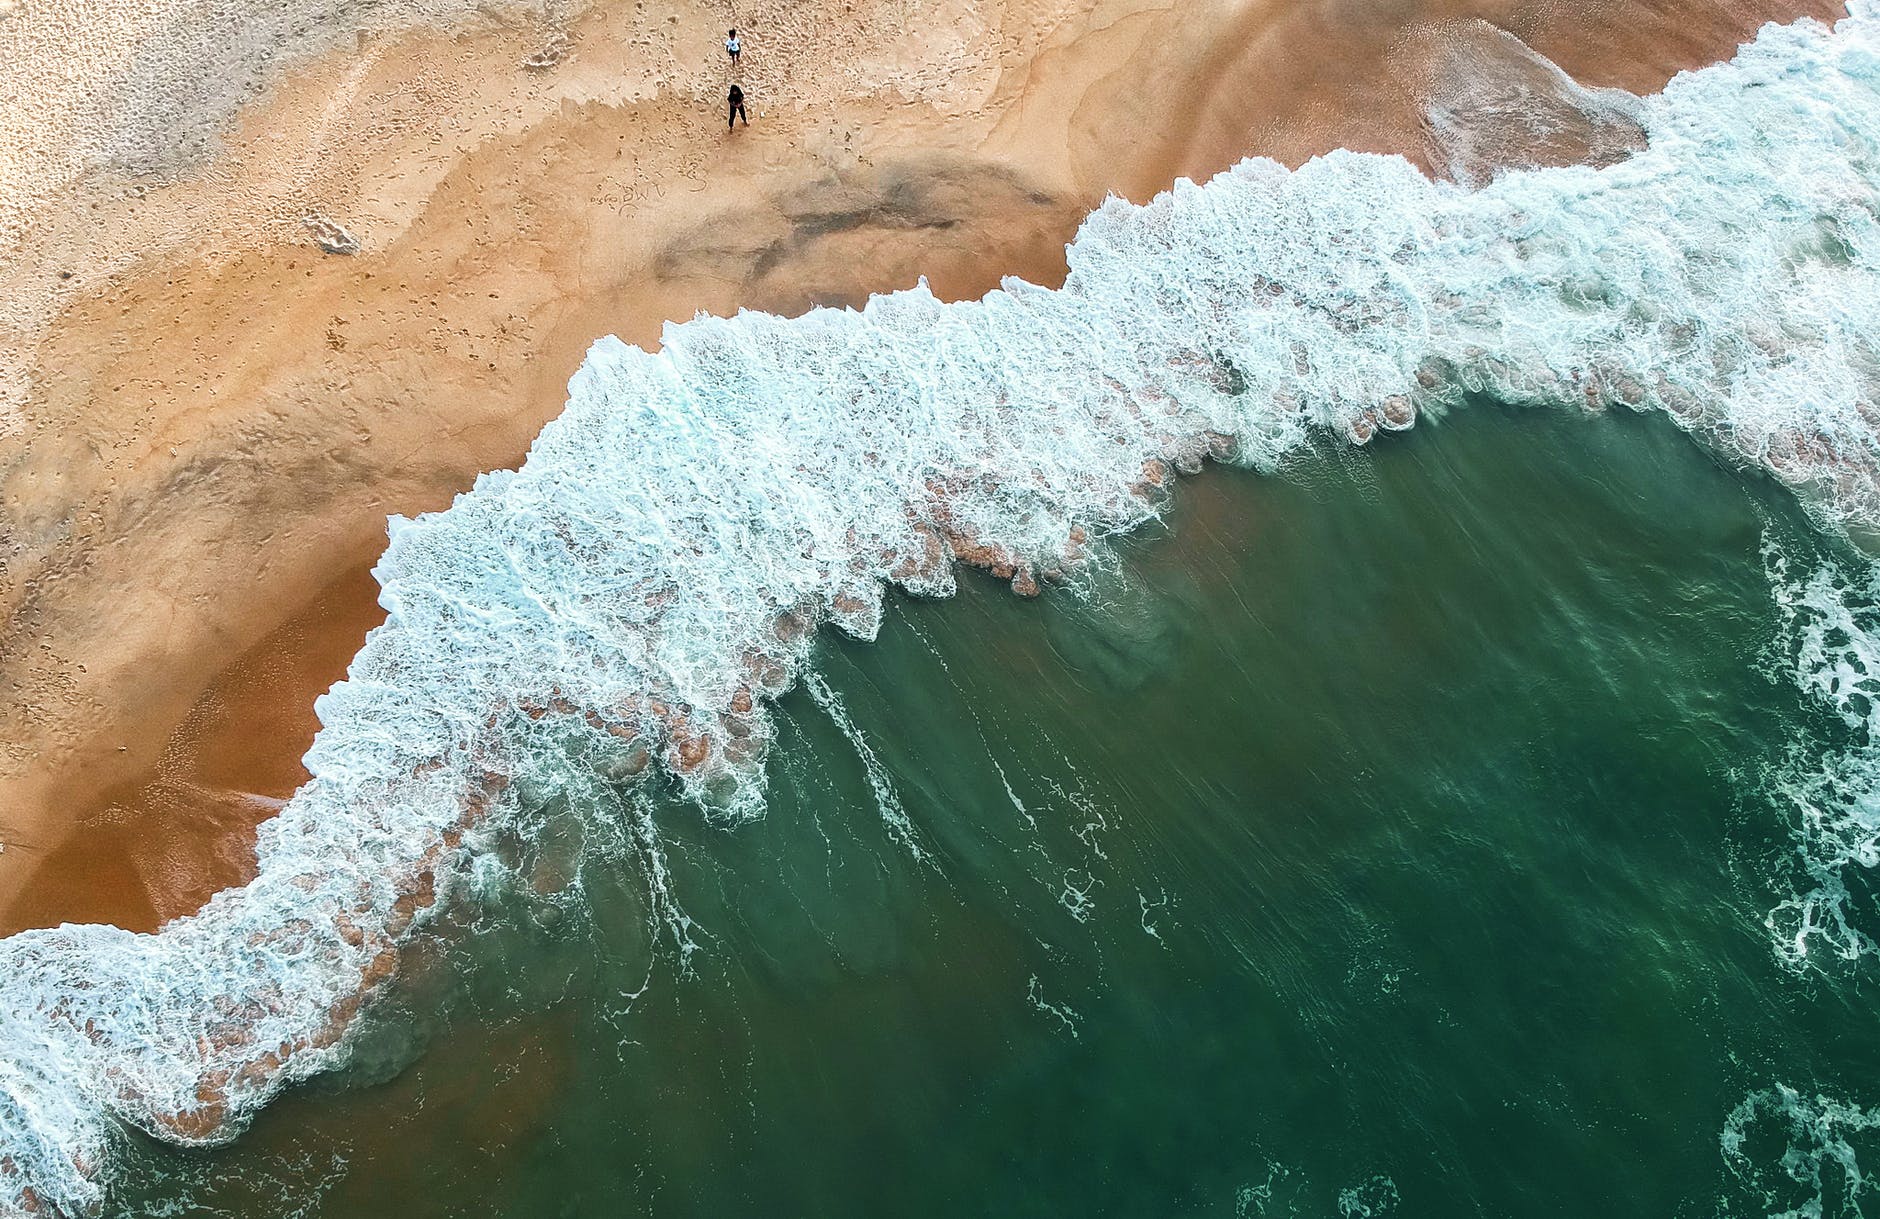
{"x": 1394, "y": 836}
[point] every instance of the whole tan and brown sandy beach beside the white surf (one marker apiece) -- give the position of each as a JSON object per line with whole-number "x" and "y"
{"x": 206, "y": 419}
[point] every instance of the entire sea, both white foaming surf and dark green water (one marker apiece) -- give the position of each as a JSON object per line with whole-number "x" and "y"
{"x": 1494, "y": 806}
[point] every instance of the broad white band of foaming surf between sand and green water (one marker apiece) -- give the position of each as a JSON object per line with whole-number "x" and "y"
{"x": 633, "y": 597}
